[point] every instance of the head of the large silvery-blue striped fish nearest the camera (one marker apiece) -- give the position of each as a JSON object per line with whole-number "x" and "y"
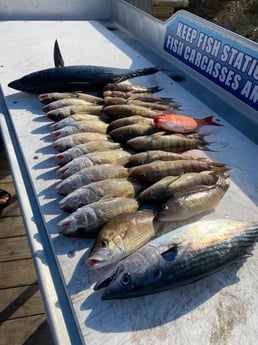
{"x": 131, "y": 277}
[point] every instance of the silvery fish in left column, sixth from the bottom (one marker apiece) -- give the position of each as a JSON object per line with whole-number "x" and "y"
{"x": 71, "y": 140}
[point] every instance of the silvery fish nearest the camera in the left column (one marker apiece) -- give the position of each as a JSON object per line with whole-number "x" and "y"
{"x": 91, "y": 217}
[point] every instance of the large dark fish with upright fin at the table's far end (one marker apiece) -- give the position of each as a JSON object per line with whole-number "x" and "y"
{"x": 74, "y": 78}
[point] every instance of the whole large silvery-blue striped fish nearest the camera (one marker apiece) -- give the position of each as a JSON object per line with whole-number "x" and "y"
{"x": 179, "y": 257}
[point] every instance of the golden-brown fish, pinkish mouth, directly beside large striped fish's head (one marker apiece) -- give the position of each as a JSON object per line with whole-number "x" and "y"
{"x": 121, "y": 236}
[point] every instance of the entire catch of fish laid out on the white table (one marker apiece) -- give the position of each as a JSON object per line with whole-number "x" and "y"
{"x": 118, "y": 153}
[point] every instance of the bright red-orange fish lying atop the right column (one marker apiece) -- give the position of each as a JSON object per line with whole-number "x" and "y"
{"x": 182, "y": 123}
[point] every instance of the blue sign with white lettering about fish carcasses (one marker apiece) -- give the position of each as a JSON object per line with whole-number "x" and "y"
{"x": 221, "y": 59}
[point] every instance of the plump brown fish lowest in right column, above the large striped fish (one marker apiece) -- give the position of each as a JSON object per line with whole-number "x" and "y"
{"x": 190, "y": 204}
